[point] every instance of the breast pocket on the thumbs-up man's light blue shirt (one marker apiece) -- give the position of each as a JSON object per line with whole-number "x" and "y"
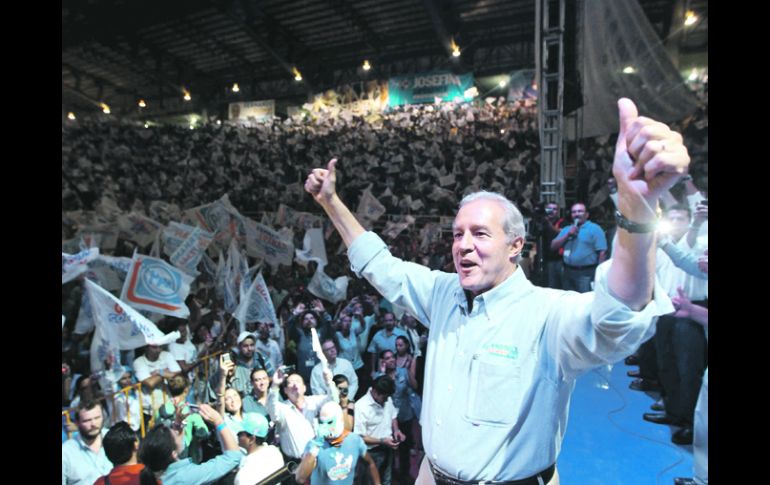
{"x": 495, "y": 391}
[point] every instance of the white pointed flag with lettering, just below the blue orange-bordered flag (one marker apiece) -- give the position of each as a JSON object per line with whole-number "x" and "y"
{"x": 119, "y": 327}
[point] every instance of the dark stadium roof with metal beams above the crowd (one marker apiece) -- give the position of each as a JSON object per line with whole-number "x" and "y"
{"x": 118, "y": 52}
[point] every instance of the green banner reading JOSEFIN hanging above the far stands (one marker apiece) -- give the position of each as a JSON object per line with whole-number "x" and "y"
{"x": 426, "y": 87}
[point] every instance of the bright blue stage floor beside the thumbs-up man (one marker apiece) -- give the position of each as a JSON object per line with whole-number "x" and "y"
{"x": 607, "y": 442}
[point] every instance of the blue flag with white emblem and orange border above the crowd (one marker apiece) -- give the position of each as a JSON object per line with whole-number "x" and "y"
{"x": 154, "y": 285}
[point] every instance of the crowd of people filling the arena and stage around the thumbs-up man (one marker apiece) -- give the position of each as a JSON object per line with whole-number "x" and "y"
{"x": 269, "y": 399}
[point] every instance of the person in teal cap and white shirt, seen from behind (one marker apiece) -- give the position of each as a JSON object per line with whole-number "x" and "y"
{"x": 262, "y": 459}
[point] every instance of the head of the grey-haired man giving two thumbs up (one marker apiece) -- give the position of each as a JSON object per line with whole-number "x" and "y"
{"x": 482, "y": 257}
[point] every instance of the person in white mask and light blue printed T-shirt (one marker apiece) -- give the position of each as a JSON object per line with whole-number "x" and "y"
{"x": 331, "y": 458}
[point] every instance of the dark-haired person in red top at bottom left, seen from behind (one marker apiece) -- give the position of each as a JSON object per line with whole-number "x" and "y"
{"x": 121, "y": 445}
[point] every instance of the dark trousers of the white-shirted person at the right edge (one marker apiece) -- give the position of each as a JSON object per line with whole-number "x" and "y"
{"x": 682, "y": 356}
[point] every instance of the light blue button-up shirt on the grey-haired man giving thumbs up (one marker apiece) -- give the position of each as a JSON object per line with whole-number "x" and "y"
{"x": 499, "y": 377}
